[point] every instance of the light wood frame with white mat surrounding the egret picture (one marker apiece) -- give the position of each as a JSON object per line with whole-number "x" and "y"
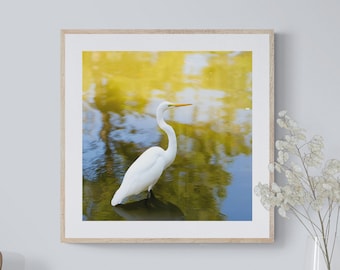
{"x": 75, "y": 230}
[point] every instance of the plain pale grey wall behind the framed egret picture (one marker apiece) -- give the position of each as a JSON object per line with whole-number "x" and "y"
{"x": 307, "y": 85}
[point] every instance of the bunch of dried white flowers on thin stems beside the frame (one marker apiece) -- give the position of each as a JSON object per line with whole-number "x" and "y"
{"x": 304, "y": 191}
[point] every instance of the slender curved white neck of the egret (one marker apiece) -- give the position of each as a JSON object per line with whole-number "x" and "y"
{"x": 172, "y": 144}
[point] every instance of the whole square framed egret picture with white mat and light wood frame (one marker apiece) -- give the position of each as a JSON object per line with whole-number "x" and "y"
{"x": 165, "y": 133}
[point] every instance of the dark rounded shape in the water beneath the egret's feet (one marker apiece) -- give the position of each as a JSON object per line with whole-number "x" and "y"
{"x": 149, "y": 209}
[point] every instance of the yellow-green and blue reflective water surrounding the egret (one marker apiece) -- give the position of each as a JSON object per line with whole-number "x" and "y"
{"x": 121, "y": 91}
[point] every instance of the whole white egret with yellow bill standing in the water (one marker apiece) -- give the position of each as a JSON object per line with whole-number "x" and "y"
{"x": 144, "y": 173}
